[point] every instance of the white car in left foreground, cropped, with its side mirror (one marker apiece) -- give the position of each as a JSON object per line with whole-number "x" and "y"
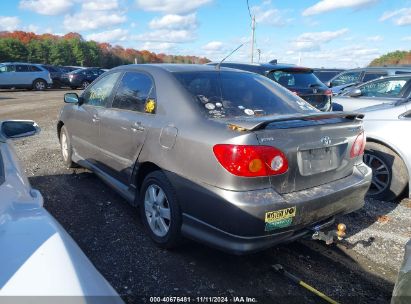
{"x": 37, "y": 256}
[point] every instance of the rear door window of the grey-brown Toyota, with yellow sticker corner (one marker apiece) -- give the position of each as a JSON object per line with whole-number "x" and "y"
{"x": 134, "y": 90}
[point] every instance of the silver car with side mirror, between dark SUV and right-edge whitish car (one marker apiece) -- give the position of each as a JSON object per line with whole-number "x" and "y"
{"x": 386, "y": 90}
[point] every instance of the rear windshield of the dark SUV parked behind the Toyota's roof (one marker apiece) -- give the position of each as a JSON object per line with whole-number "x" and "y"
{"x": 295, "y": 78}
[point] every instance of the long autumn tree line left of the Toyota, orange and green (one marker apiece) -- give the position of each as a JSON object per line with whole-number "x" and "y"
{"x": 72, "y": 49}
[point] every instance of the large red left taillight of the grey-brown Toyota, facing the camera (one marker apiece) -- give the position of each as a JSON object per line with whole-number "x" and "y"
{"x": 251, "y": 161}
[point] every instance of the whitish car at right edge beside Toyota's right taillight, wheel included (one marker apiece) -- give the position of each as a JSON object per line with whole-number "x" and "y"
{"x": 388, "y": 151}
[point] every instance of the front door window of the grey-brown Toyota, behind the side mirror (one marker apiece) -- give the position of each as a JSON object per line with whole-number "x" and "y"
{"x": 100, "y": 92}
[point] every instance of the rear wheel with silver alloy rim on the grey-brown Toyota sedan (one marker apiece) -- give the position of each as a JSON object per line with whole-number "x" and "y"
{"x": 162, "y": 219}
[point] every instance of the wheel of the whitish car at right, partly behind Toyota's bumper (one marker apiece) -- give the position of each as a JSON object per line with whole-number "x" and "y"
{"x": 384, "y": 162}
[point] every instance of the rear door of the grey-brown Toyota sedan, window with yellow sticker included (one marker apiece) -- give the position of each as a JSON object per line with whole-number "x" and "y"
{"x": 124, "y": 126}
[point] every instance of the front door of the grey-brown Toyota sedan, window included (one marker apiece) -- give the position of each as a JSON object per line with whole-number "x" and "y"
{"x": 84, "y": 124}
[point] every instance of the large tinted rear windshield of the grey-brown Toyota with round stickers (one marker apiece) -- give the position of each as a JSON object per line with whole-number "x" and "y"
{"x": 233, "y": 94}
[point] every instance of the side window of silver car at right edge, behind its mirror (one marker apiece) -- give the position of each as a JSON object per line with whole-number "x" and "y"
{"x": 384, "y": 88}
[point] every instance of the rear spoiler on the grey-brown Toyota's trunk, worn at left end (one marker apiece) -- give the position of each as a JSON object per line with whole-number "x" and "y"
{"x": 260, "y": 123}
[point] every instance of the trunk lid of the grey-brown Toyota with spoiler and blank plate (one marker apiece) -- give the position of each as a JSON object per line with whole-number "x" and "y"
{"x": 317, "y": 147}
